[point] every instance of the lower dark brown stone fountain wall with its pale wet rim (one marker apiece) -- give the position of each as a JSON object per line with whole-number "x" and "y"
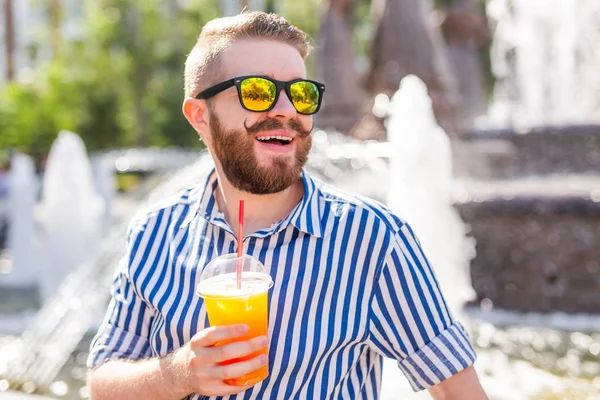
{"x": 537, "y": 250}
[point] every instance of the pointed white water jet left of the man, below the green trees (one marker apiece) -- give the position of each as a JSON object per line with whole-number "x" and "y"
{"x": 71, "y": 211}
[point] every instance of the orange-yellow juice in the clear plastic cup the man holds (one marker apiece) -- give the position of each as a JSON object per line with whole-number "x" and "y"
{"x": 227, "y": 305}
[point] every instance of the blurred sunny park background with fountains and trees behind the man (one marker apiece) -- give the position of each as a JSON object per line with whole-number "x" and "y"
{"x": 477, "y": 121}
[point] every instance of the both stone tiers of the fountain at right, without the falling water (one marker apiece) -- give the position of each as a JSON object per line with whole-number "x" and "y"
{"x": 533, "y": 203}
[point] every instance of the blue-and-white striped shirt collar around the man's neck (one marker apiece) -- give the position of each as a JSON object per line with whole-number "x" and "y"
{"x": 305, "y": 217}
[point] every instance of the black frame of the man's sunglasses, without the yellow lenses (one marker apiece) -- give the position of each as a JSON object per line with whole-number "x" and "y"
{"x": 280, "y": 85}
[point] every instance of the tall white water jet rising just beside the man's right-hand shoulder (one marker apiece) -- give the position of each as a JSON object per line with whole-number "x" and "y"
{"x": 420, "y": 189}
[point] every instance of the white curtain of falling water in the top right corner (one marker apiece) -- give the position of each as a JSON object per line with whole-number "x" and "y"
{"x": 545, "y": 56}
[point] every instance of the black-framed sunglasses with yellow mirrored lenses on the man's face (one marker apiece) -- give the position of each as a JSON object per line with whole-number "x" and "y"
{"x": 260, "y": 94}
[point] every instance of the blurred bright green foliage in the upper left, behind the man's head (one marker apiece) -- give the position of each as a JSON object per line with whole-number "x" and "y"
{"x": 119, "y": 83}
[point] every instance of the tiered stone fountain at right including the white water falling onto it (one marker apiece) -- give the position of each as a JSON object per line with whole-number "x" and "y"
{"x": 530, "y": 187}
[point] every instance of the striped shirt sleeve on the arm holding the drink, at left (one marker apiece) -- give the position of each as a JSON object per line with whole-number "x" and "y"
{"x": 124, "y": 333}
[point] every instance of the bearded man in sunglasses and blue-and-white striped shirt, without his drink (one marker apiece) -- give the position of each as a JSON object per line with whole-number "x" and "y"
{"x": 351, "y": 284}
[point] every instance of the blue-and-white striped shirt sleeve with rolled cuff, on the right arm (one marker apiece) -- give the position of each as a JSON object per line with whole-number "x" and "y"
{"x": 410, "y": 321}
